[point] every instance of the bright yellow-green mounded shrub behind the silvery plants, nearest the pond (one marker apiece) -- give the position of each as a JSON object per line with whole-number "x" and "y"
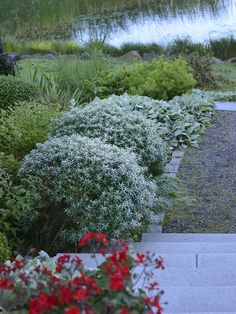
{"x": 159, "y": 79}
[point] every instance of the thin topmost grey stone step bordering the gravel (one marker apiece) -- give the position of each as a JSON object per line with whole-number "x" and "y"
{"x": 189, "y": 237}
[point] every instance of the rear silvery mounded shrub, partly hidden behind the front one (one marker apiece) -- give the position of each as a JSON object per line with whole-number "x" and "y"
{"x": 118, "y": 125}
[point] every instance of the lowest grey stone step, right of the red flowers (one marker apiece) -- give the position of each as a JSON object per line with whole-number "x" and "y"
{"x": 199, "y": 299}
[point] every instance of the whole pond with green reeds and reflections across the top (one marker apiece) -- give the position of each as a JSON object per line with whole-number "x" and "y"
{"x": 119, "y": 21}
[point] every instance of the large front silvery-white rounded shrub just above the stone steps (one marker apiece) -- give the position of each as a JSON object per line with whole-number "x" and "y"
{"x": 101, "y": 187}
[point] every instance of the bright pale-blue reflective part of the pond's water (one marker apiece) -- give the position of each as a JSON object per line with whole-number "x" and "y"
{"x": 162, "y": 24}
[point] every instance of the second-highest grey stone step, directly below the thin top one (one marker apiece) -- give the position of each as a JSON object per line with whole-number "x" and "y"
{"x": 185, "y": 247}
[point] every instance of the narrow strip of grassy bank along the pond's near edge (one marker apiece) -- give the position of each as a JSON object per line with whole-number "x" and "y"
{"x": 223, "y": 48}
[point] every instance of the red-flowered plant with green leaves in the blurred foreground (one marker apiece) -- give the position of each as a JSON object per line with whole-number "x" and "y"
{"x": 43, "y": 285}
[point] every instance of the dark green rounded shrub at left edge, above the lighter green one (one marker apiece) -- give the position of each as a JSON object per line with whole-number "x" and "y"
{"x": 13, "y": 90}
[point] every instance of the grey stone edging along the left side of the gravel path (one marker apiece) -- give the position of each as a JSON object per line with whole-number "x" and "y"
{"x": 171, "y": 170}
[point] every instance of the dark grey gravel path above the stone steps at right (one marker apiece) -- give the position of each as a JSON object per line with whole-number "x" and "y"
{"x": 209, "y": 175}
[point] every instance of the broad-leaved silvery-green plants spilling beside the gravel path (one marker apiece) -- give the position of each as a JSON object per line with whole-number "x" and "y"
{"x": 179, "y": 121}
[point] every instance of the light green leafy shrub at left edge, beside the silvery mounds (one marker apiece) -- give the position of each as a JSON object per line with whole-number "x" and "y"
{"x": 25, "y": 125}
